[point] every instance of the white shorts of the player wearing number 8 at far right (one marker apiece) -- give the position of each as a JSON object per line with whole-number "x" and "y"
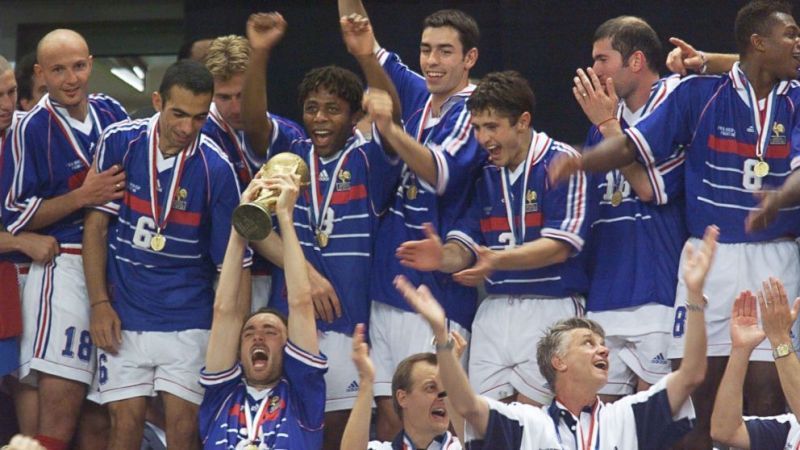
{"x": 737, "y": 267}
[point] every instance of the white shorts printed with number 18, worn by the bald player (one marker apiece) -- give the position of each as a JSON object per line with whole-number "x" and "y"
{"x": 55, "y": 316}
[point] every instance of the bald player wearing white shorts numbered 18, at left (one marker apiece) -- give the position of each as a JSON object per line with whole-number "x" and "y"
{"x": 51, "y": 184}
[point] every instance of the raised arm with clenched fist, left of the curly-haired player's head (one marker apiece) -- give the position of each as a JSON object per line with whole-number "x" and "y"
{"x": 264, "y": 31}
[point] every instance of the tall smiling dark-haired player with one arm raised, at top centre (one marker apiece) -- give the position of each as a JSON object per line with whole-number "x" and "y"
{"x": 442, "y": 160}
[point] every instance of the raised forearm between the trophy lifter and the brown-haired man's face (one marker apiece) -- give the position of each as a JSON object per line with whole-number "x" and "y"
{"x": 356, "y": 433}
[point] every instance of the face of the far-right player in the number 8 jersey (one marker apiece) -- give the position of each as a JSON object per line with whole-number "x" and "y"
{"x": 782, "y": 47}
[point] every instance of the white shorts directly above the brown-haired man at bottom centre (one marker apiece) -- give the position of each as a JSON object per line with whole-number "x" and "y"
{"x": 394, "y": 335}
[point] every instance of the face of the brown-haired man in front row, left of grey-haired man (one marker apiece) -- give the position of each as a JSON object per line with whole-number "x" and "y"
{"x": 424, "y": 412}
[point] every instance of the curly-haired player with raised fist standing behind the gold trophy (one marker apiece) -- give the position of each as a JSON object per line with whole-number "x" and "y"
{"x": 351, "y": 183}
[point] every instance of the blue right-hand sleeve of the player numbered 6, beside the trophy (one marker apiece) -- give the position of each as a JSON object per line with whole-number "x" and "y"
{"x": 224, "y": 199}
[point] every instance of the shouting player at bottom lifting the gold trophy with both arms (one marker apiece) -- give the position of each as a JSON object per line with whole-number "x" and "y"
{"x": 264, "y": 373}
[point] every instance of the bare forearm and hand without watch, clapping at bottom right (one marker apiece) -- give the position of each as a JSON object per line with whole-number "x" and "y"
{"x": 727, "y": 425}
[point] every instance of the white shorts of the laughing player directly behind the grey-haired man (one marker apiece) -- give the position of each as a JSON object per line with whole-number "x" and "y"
{"x": 506, "y": 331}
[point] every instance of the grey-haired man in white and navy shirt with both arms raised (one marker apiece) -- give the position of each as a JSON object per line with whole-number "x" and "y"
{"x": 573, "y": 358}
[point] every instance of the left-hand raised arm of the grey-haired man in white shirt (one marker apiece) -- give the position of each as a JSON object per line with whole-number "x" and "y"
{"x": 464, "y": 400}
